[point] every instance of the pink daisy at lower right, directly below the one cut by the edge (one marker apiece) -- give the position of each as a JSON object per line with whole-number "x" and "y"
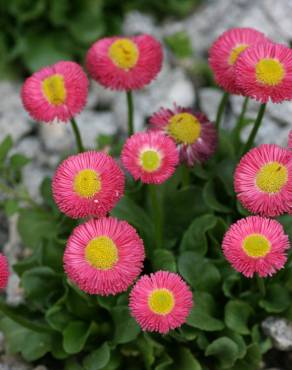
{"x": 256, "y": 245}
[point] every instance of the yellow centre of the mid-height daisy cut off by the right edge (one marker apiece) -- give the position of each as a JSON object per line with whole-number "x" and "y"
{"x": 272, "y": 177}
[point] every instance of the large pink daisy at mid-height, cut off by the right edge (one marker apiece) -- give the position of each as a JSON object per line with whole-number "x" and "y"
{"x": 263, "y": 180}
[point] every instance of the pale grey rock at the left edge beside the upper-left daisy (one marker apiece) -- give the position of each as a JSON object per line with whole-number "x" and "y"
{"x": 14, "y": 120}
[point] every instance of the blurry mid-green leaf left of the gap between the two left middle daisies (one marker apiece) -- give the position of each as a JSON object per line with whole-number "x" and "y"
{"x": 35, "y": 225}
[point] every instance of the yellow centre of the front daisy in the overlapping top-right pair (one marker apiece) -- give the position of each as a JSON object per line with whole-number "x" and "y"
{"x": 269, "y": 71}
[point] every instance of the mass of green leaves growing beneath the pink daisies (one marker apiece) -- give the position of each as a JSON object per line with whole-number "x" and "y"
{"x": 74, "y": 331}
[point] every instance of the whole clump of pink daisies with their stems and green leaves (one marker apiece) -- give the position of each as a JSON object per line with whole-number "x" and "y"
{"x": 183, "y": 218}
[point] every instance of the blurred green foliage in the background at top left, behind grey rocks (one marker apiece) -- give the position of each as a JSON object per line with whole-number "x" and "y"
{"x": 38, "y": 33}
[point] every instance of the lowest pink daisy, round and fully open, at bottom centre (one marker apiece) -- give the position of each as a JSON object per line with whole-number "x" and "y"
{"x": 161, "y": 301}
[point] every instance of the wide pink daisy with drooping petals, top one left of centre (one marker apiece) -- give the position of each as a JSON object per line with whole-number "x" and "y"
{"x": 121, "y": 63}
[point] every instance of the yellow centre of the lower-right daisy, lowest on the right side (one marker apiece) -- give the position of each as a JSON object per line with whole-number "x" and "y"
{"x": 256, "y": 245}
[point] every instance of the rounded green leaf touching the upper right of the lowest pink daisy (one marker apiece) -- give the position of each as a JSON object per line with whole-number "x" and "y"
{"x": 199, "y": 272}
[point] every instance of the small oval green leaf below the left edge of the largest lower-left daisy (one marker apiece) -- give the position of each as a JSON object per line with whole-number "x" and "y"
{"x": 75, "y": 336}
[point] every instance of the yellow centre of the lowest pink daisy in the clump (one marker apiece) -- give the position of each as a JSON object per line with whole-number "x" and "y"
{"x": 161, "y": 301}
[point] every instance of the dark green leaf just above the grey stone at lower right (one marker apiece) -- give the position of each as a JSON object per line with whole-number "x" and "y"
{"x": 276, "y": 300}
